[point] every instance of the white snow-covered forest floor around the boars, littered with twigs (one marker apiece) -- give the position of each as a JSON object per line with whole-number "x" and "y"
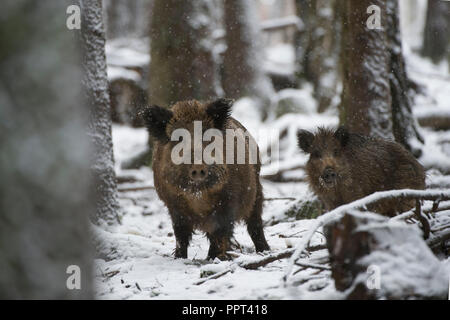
{"x": 140, "y": 262}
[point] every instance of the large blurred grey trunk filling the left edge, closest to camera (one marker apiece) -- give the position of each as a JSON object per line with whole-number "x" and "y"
{"x": 45, "y": 197}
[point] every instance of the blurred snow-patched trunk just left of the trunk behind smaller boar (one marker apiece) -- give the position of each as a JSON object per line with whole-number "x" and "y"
{"x": 317, "y": 47}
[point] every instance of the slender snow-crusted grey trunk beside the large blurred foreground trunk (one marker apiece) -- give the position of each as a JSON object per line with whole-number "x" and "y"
{"x": 97, "y": 97}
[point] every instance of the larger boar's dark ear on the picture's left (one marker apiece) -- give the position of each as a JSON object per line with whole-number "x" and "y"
{"x": 156, "y": 119}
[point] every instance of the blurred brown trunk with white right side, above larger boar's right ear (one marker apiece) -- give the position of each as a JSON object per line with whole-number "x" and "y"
{"x": 243, "y": 73}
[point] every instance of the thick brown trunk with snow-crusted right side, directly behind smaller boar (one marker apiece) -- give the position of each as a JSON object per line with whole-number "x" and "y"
{"x": 366, "y": 96}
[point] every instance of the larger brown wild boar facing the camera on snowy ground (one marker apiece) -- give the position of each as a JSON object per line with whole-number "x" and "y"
{"x": 207, "y": 197}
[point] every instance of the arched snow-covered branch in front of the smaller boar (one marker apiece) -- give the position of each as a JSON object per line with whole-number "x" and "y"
{"x": 432, "y": 195}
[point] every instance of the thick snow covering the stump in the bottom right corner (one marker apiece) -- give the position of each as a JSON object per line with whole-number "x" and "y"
{"x": 407, "y": 268}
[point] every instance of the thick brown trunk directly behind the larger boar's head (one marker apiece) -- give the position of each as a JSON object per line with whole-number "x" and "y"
{"x": 182, "y": 65}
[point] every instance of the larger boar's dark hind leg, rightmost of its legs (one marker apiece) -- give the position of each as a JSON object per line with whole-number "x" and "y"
{"x": 255, "y": 224}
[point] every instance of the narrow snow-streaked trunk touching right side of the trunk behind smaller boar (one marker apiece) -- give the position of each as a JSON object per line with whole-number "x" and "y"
{"x": 404, "y": 125}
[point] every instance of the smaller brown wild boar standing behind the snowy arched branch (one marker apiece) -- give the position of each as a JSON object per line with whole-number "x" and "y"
{"x": 344, "y": 167}
